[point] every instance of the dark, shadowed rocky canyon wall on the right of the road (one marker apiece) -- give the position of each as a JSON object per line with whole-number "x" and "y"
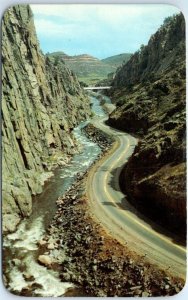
{"x": 150, "y": 95}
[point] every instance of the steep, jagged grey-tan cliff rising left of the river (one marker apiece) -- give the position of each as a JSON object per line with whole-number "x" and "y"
{"x": 42, "y": 102}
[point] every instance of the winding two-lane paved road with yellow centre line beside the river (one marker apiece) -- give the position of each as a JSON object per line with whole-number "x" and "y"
{"x": 111, "y": 208}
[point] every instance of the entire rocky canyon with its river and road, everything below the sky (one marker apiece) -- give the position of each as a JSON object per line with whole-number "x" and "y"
{"x": 93, "y": 189}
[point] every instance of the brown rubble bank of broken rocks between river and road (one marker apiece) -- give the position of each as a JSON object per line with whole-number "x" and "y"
{"x": 87, "y": 256}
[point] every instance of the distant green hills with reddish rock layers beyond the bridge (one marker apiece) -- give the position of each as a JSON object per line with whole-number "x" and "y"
{"x": 89, "y": 69}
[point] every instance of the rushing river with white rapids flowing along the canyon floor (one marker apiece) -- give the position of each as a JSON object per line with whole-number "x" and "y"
{"x": 20, "y": 248}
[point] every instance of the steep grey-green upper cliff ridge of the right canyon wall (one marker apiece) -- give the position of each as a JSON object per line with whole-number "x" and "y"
{"x": 163, "y": 52}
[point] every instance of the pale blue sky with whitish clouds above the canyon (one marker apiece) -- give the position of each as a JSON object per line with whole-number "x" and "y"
{"x": 98, "y": 30}
